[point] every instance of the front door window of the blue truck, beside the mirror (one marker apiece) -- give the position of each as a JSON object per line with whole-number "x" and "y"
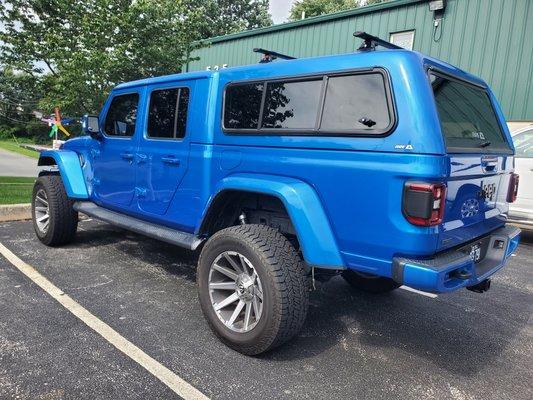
{"x": 122, "y": 115}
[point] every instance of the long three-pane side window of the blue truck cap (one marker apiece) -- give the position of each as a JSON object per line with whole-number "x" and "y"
{"x": 355, "y": 103}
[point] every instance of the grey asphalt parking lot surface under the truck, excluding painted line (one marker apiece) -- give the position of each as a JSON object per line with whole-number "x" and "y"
{"x": 353, "y": 345}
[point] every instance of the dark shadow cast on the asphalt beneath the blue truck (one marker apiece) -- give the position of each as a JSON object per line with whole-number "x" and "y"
{"x": 444, "y": 331}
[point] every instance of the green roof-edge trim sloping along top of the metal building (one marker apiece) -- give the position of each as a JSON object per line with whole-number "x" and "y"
{"x": 313, "y": 20}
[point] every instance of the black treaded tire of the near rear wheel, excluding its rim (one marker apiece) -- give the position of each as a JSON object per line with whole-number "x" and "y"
{"x": 283, "y": 277}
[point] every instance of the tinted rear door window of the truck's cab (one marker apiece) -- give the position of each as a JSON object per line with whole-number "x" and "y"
{"x": 167, "y": 116}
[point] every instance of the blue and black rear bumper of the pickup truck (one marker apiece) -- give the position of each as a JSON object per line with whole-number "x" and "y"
{"x": 454, "y": 269}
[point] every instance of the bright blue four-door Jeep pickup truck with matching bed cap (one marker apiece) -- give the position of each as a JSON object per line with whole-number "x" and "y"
{"x": 386, "y": 166}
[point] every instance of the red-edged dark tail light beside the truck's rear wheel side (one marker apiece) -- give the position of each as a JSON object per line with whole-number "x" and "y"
{"x": 423, "y": 203}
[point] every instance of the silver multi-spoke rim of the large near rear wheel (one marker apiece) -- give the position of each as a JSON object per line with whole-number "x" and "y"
{"x": 235, "y": 291}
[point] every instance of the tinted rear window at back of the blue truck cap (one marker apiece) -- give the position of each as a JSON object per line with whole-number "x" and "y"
{"x": 467, "y": 117}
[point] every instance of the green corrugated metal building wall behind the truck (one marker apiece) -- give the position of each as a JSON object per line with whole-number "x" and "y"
{"x": 489, "y": 38}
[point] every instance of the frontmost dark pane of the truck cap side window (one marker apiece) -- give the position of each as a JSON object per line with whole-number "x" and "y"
{"x": 242, "y": 105}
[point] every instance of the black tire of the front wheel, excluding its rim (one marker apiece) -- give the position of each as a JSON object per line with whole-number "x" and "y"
{"x": 63, "y": 219}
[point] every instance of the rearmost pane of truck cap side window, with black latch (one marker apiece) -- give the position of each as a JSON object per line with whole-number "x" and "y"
{"x": 356, "y": 102}
